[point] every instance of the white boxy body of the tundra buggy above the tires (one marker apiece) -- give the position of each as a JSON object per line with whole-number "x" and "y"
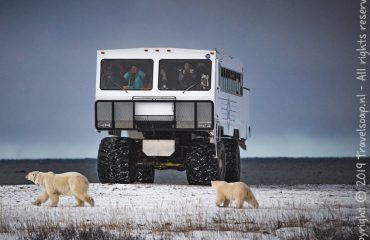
{"x": 226, "y": 90}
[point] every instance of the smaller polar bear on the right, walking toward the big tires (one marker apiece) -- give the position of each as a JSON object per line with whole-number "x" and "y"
{"x": 237, "y": 191}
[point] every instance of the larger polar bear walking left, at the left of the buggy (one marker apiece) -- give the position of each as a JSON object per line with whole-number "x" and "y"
{"x": 54, "y": 185}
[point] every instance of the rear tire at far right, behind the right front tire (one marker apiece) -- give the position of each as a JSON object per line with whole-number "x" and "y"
{"x": 232, "y": 160}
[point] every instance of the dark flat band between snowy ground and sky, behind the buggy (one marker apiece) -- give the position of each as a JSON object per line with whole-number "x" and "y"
{"x": 254, "y": 171}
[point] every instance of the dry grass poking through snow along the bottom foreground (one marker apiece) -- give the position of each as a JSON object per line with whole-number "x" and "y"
{"x": 296, "y": 222}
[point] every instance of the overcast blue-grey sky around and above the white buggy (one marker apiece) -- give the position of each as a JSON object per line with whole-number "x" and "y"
{"x": 299, "y": 58}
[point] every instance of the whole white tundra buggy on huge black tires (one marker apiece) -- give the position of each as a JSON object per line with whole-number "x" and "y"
{"x": 169, "y": 108}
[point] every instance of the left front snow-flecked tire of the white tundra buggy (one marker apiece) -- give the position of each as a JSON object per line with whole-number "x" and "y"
{"x": 116, "y": 160}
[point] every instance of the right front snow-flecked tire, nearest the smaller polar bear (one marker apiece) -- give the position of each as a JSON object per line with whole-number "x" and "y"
{"x": 201, "y": 164}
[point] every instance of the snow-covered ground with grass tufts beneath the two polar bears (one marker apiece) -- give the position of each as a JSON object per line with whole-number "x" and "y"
{"x": 153, "y": 211}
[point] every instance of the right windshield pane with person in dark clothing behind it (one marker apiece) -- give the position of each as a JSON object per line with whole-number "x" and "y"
{"x": 185, "y": 74}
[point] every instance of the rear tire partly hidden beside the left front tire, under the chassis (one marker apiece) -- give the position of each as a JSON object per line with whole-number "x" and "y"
{"x": 144, "y": 173}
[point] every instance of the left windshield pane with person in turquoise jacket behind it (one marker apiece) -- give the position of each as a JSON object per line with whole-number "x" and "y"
{"x": 126, "y": 74}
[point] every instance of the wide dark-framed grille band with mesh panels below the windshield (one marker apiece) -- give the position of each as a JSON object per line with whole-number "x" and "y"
{"x": 187, "y": 115}
